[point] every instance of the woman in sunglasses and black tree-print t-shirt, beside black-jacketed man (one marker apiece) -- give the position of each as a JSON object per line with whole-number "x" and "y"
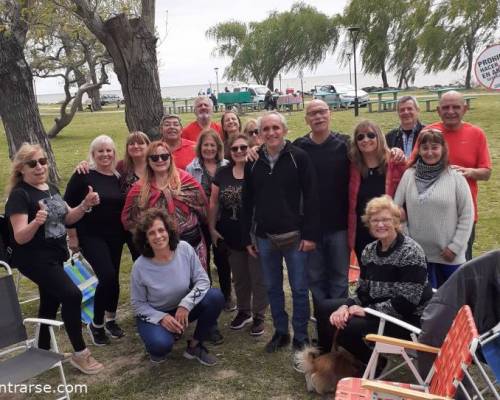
{"x": 225, "y": 229}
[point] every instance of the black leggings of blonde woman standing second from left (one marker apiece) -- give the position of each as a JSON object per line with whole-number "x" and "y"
{"x": 104, "y": 255}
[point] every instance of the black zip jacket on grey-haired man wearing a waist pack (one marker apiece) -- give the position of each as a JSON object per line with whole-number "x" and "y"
{"x": 284, "y": 198}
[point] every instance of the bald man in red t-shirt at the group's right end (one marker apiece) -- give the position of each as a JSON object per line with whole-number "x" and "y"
{"x": 468, "y": 148}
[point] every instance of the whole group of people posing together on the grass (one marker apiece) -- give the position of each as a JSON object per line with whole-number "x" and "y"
{"x": 405, "y": 203}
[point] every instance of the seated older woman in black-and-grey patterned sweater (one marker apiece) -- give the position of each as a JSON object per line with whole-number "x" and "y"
{"x": 394, "y": 281}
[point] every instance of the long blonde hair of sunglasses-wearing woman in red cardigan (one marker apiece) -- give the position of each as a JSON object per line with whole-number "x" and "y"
{"x": 383, "y": 152}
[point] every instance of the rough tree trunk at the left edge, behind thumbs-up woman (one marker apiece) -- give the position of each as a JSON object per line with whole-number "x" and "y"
{"x": 18, "y": 106}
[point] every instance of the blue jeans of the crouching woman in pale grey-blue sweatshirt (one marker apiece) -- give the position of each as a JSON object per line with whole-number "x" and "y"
{"x": 159, "y": 341}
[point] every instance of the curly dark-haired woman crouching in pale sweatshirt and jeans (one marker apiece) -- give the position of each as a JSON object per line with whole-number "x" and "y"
{"x": 169, "y": 289}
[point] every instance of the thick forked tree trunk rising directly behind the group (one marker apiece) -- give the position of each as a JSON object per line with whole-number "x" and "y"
{"x": 131, "y": 44}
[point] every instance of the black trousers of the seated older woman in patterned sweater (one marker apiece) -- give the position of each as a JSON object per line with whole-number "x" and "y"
{"x": 352, "y": 336}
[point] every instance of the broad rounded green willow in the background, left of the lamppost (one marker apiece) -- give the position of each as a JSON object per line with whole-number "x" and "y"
{"x": 291, "y": 40}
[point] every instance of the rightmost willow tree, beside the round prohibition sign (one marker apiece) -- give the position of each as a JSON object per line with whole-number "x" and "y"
{"x": 455, "y": 31}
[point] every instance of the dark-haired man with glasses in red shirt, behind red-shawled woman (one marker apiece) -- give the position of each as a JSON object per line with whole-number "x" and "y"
{"x": 182, "y": 149}
